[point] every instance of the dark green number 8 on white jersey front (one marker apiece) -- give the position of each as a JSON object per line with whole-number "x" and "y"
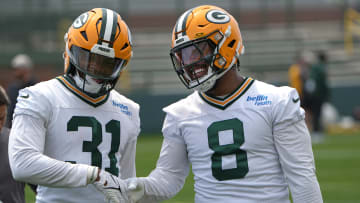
{"x": 221, "y": 150}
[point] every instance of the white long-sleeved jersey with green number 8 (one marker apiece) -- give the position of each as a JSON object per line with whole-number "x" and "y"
{"x": 251, "y": 146}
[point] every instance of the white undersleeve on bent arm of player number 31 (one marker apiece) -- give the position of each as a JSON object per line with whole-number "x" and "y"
{"x": 29, "y": 164}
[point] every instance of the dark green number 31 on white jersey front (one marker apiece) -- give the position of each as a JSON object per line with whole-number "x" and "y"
{"x": 112, "y": 127}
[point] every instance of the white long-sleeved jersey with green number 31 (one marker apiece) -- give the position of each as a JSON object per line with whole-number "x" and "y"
{"x": 78, "y": 130}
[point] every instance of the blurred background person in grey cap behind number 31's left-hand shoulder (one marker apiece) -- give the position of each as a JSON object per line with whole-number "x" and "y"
{"x": 22, "y": 66}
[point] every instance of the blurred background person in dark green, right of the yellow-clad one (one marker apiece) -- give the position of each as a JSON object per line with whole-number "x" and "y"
{"x": 316, "y": 93}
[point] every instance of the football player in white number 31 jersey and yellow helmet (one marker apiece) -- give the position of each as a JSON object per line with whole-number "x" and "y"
{"x": 74, "y": 135}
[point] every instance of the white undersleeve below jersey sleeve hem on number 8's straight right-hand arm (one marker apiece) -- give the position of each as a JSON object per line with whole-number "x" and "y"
{"x": 296, "y": 157}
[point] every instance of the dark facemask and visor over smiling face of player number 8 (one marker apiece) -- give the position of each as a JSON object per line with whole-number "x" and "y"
{"x": 193, "y": 61}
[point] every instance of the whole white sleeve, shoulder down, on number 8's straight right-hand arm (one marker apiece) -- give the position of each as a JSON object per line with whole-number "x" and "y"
{"x": 293, "y": 143}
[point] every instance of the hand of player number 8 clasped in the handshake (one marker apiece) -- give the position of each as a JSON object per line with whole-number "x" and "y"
{"x": 136, "y": 189}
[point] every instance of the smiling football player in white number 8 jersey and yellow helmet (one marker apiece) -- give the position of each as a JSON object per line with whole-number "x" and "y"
{"x": 246, "y": 140}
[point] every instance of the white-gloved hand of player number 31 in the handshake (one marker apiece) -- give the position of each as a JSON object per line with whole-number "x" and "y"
{"x": 112, "y": 187}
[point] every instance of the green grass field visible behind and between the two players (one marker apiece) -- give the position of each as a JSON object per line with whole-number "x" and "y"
{"x": 337, "y": 163}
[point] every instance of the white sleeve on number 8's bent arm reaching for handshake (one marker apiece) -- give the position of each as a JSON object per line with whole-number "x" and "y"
{"x": 172, "y": 167}
